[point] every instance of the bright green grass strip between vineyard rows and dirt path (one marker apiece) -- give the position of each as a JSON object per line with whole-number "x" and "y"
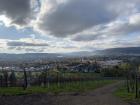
{"x": 54, "y": 88}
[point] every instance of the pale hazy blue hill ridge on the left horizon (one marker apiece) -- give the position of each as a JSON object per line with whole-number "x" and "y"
{"x": 42, "y": 56}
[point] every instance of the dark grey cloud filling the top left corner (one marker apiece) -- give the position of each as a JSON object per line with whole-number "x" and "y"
{"x": 19, "y": 11}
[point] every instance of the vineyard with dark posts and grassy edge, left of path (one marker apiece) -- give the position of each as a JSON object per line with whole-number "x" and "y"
{"x": 45, "y": 81}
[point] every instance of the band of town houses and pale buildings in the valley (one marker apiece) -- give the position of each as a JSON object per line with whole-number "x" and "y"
{"x": 82, "y": 66}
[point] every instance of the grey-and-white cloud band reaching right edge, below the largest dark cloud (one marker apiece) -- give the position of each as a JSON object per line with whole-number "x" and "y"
{"x": 118, "y": 29}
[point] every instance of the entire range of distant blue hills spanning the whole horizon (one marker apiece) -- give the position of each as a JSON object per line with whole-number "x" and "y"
{"x": 58, "y": 56}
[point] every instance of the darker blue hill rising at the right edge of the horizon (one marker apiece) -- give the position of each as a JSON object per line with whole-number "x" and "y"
{"x": 118, "y": 51}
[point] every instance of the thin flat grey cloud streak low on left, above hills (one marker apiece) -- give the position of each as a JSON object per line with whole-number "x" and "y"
{"x": 17, "y": 43}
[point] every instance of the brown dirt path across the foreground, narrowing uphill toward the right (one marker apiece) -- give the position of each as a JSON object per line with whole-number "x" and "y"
{"x": 101, "y": 96}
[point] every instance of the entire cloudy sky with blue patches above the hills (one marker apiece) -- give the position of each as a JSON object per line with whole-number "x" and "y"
{"x": 61, "y": 26}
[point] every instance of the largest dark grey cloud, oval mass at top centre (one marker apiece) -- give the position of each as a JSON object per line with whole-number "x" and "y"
{"x": 75, "y": 16}
